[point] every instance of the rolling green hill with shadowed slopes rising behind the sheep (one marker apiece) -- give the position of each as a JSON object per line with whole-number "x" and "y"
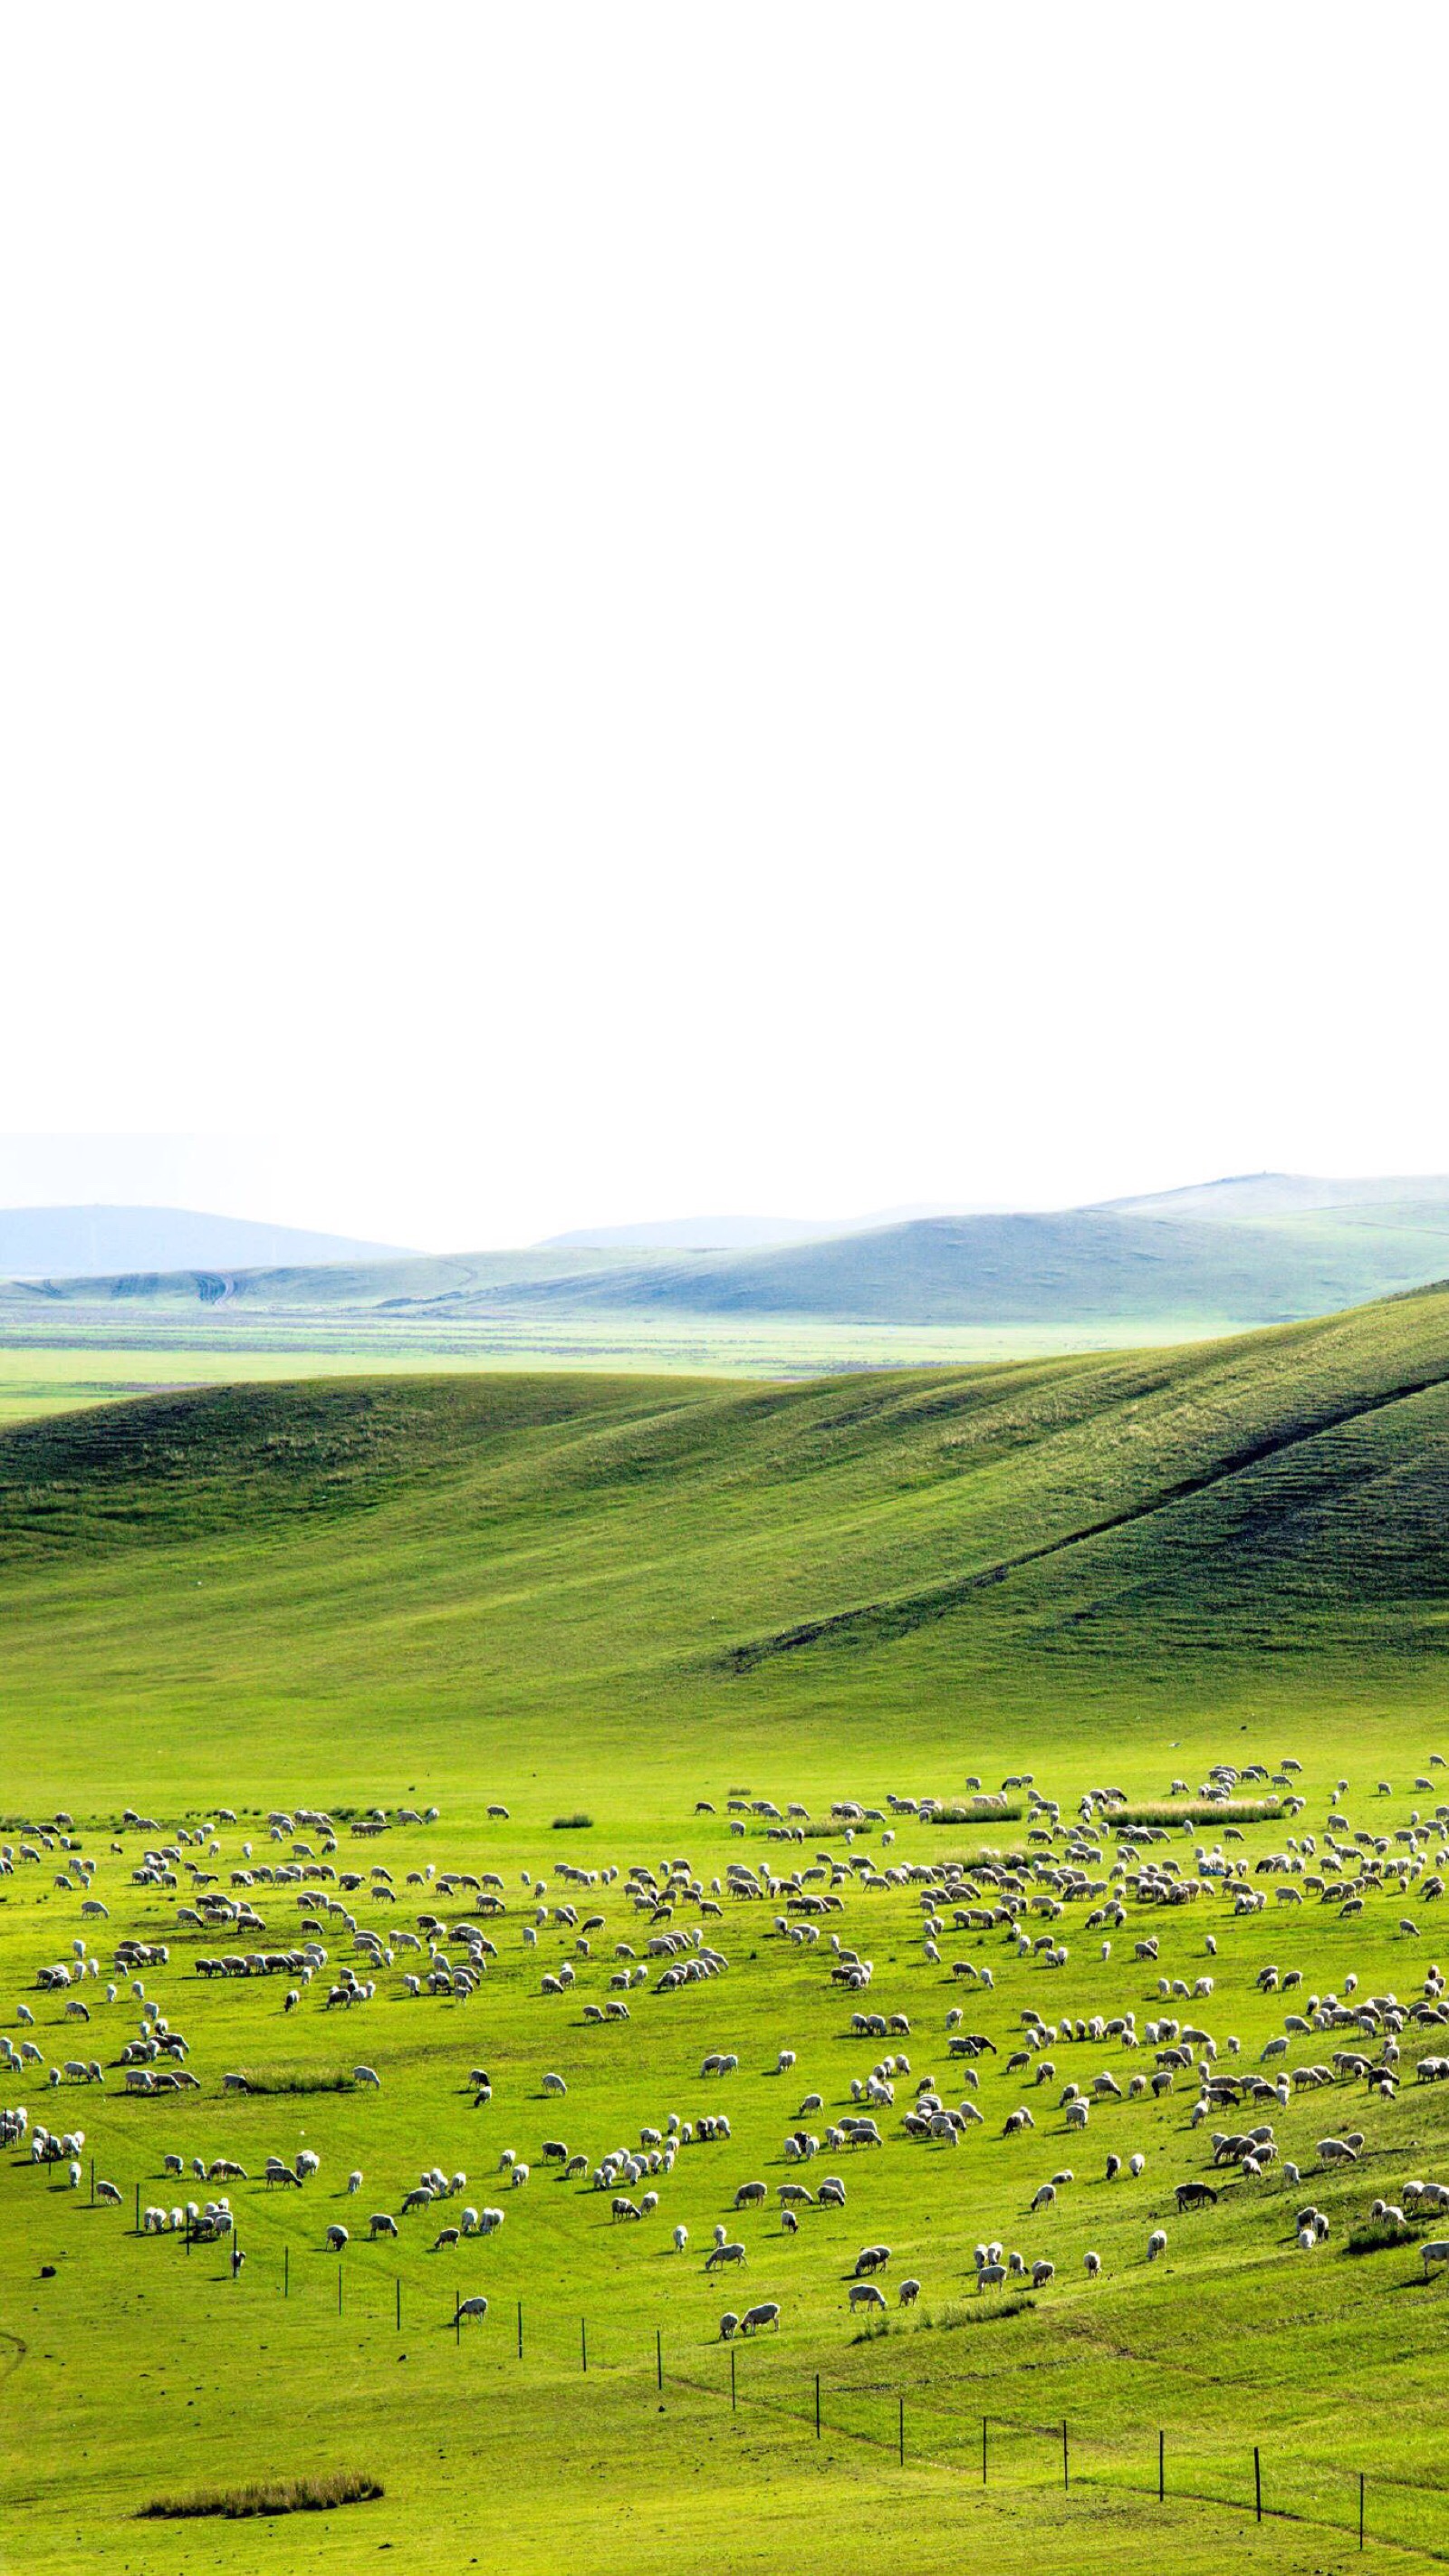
{"x": 485, "y": 1549}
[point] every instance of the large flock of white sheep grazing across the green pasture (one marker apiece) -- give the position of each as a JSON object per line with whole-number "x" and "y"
{"x": 292, "y": 1900}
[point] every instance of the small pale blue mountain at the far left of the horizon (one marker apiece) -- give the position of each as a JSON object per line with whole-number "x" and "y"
{"x": 102, "y": 1243}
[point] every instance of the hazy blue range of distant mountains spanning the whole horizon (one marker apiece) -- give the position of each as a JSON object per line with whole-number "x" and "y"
{"x": 1214, "y": 1258}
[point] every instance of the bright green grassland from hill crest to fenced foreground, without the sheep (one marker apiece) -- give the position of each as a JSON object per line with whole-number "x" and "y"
{"x": 627, "y": 1596}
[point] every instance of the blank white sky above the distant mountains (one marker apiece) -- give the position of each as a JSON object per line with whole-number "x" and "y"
{"x": 660, "y": 609}
